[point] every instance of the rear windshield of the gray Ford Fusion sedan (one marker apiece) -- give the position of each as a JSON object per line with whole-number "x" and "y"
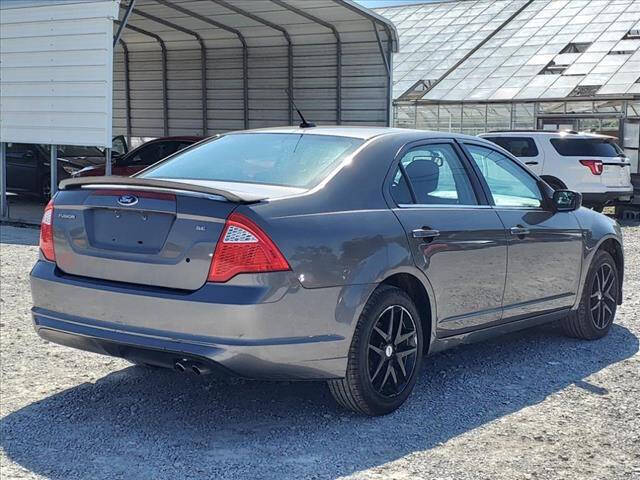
{"x": 293, "y": 160}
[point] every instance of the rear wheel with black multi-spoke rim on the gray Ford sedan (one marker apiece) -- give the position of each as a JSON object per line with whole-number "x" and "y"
{"x": 381, "y": 371}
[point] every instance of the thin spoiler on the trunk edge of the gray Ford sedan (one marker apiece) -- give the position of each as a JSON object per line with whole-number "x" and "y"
{"x": 133, "y": 183}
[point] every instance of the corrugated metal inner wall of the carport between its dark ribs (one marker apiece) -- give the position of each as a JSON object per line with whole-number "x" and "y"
{"x": 364, "y": 79}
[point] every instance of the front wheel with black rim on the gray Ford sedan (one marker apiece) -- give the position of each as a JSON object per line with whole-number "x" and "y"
{"x": 597, "y": 308}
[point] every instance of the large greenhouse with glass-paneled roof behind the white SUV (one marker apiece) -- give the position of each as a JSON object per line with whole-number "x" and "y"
{"x": 482, "y": 65}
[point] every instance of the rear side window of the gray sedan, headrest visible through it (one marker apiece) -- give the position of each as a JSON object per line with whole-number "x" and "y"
{"x": 437, "y": 176}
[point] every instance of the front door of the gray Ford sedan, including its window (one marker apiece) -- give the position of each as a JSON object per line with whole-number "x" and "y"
{"x": 545, "y": 247}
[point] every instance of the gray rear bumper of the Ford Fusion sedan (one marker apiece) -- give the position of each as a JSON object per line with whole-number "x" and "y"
{"x": 250, "y": 329}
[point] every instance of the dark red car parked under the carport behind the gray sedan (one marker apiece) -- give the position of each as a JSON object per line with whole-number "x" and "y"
{"x": 141, "y": 157}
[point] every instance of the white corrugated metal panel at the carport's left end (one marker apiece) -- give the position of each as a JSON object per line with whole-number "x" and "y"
{"x": 55, "y": 72}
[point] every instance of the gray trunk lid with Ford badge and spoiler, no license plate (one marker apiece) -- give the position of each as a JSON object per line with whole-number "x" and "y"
{"x": 149, "y": 232}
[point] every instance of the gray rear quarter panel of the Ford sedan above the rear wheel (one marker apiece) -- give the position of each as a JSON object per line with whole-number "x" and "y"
{"x": 343, "y": 233}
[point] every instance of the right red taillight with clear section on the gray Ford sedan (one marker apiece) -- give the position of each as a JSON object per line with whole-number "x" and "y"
{"x": 244, "y": 248}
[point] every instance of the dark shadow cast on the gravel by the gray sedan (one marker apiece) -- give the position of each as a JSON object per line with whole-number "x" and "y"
{"x": 152, "y": 424}
